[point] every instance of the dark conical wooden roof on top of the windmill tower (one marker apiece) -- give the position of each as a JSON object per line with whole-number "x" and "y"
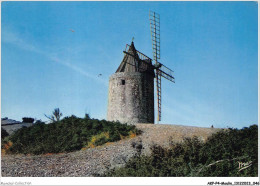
{"x": 132, "y": 62}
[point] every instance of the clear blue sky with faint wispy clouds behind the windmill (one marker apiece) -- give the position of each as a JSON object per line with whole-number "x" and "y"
{"x": 53, "y": 52}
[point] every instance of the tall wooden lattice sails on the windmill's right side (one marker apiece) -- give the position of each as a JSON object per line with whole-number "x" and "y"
{"x": 160, "y": 69}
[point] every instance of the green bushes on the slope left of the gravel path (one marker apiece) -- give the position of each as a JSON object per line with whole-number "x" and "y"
{"x": 69, "y": 134}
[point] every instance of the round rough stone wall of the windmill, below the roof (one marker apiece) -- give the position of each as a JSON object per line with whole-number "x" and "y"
{"x": 132, "y": 101}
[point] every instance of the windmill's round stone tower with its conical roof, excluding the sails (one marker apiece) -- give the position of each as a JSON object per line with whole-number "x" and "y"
{"x": 131, "y": 89}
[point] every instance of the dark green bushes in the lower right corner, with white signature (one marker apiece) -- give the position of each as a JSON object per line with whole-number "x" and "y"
{"x": 219, "y": 156}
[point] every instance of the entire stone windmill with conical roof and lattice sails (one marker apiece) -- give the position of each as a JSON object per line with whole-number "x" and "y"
{"x": 131, "y": 88}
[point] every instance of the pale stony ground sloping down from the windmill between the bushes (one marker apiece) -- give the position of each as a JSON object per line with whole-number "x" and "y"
{"x": 97, "y": 160}
